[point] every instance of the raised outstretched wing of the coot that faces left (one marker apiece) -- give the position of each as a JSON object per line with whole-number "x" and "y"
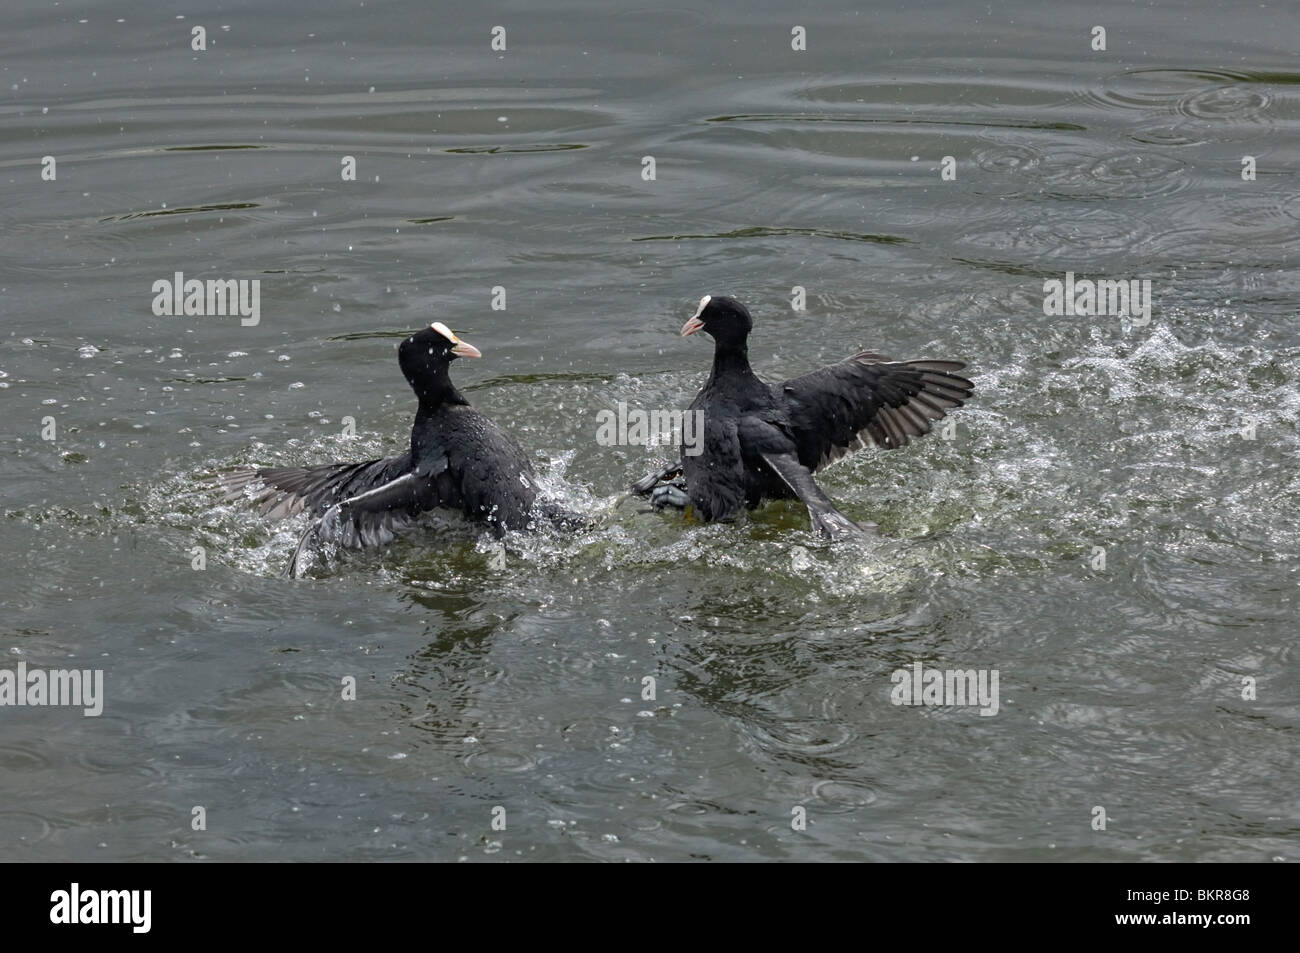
{"x": 869, "y": 397}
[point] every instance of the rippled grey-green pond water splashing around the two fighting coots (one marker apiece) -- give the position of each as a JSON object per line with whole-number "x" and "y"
{"x": 522, "y": 688}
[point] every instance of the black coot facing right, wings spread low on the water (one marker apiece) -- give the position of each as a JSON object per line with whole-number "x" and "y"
{"x": 460, "y": 460}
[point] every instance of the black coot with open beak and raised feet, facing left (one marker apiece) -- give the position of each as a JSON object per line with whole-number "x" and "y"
{"x": 765, "y": 441}
